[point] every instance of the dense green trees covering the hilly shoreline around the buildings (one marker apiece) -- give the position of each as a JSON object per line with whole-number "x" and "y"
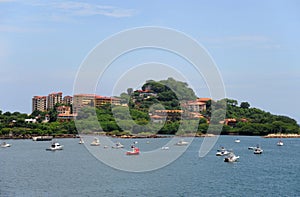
{"x": 166, "y": 94}
